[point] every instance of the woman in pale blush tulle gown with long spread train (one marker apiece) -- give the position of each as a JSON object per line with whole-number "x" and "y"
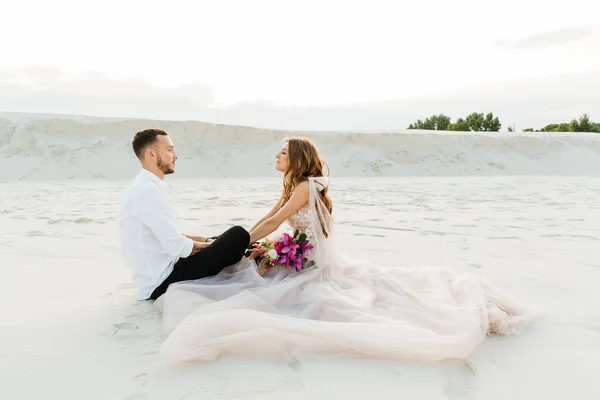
{"x": 340, "y": 307}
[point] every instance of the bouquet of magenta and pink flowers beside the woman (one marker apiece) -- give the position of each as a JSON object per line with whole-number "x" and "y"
{"x": 289, "y": 251}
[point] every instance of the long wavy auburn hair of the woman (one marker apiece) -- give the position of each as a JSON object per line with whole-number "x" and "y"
{"x": 304, "y": 162}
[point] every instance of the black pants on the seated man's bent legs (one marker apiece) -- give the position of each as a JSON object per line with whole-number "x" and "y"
{"x": 226, "y": 250}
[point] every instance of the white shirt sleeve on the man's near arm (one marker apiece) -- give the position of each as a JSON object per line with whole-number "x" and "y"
{"x": 154, "y": 210}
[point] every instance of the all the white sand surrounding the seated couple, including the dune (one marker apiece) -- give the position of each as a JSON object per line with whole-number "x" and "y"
{"x": 72, "y": 329}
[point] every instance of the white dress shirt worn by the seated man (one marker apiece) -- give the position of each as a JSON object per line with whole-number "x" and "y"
{"x": 150, "y": 241}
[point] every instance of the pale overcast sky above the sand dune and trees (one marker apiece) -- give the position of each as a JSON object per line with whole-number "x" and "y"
{"x": 331, "y": 65}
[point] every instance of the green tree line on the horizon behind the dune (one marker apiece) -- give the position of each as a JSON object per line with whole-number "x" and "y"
{"x": 477, "y": 122}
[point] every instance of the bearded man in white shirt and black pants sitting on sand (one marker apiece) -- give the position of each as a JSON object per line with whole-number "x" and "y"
{"x": 157, "y": 253}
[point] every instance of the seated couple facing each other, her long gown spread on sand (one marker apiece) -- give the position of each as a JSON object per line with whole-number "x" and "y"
{"x": 217, "y": 302}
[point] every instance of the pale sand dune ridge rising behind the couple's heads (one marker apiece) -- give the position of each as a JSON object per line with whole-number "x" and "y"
{"x": 52, "y": 147}
